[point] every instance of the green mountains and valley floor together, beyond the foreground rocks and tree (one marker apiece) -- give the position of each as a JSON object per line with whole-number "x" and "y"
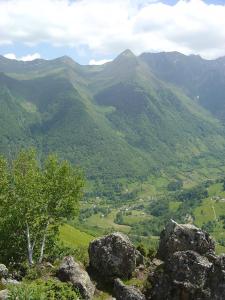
{"x": 135, "y": 126}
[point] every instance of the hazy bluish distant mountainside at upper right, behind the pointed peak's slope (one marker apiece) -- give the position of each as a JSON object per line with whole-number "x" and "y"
{"x": 202, "y": 80}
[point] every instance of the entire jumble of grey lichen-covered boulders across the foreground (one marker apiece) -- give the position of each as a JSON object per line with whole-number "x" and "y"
{"x": 185, "y": 267}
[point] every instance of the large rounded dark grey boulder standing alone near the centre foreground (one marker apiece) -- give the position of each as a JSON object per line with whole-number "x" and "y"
{"x": 113, "y": 256}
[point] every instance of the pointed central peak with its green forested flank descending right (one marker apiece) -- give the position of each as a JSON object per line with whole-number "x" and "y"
{"x": 154, "y": 116}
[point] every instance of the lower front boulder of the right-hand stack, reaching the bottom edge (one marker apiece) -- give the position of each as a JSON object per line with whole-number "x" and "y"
{"x": 184, "y": 276}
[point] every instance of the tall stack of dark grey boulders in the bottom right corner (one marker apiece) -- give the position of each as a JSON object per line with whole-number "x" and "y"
{"x": 190, "y": 270}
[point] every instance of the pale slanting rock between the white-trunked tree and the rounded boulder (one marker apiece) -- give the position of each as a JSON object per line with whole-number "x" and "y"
{"x": 70, "y": 271}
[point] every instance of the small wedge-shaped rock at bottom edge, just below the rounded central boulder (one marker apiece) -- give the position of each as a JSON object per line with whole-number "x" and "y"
{"x": 123, "y": 292}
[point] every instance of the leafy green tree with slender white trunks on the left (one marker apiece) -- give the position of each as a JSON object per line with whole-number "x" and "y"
{"x": 35, "y": 200}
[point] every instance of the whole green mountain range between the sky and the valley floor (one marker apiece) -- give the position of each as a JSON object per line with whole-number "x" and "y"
{"x": 131, "y": 117}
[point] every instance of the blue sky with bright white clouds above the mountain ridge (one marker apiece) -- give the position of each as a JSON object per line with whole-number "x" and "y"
{"x": 96, "y": 31}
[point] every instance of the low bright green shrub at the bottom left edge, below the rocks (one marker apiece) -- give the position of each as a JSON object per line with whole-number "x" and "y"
{"x": 42, "y": 290}
